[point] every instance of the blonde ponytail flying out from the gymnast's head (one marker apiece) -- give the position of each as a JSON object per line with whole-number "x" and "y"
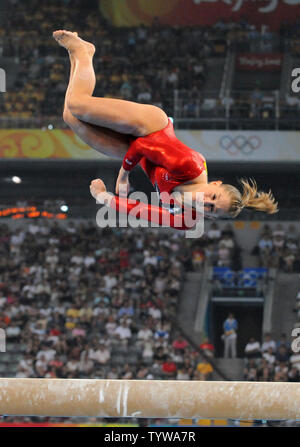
{"x": 250, "y": 198}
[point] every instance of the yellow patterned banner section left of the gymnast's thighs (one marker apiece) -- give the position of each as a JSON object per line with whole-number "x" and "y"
{"x": 39, "y": 144}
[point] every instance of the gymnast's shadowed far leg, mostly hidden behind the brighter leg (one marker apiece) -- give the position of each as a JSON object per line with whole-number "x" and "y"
{"x": 101, "y": 139}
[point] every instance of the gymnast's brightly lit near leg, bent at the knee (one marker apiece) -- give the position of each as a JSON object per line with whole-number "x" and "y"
{"x": 125, "y": 117}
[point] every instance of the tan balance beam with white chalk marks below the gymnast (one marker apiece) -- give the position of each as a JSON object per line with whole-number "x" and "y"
{"x": 150, "y": 398}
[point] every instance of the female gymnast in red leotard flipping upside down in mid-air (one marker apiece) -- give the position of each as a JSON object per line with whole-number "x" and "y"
{"x": 142, "y": 134}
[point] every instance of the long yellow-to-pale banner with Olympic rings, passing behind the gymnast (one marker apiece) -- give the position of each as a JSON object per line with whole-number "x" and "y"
{"x": 214, "y": 145}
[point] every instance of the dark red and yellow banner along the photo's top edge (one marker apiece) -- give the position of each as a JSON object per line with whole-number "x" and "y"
{"x": 198, "y": 12}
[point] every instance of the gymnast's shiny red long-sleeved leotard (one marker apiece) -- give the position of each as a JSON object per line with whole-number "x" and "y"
{"x": 168, "y": 163}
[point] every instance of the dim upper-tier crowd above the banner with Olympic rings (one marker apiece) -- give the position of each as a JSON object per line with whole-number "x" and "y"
{"x": 144, "y": 64}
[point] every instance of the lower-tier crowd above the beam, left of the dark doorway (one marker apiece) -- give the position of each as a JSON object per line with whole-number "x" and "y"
{"x": 85, "y": 302}
